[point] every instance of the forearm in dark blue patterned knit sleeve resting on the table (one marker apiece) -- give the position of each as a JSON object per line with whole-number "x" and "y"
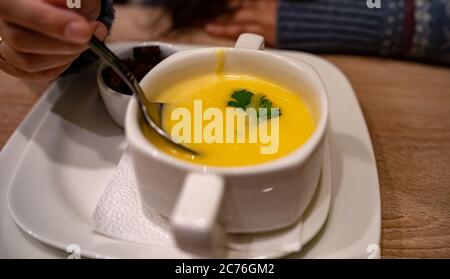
{"x": 399, "y": 28}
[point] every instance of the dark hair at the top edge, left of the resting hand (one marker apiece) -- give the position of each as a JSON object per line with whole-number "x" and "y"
{"x": 187, "y": 12}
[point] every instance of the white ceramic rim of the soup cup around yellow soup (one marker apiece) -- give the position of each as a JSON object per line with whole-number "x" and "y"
{"x": 297, "y": 157}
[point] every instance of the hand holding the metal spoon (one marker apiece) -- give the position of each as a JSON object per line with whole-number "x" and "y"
{"x": 41, "y": 38}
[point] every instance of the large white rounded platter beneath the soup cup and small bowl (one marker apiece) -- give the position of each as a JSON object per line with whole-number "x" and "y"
{"x": 73, "y": 152}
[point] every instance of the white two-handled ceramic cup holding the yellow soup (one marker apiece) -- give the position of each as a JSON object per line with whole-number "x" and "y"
{"x": 202, "y": 202}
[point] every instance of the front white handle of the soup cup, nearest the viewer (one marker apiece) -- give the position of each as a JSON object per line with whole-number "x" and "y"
{"x": 195, "y": 218}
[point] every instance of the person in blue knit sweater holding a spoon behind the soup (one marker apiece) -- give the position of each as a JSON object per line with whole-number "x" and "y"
{"x": 41, "y": 39}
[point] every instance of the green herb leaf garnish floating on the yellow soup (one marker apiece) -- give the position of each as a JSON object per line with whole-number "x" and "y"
{"x": 244, "y": 99}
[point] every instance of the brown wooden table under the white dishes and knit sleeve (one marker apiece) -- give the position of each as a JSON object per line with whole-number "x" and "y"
{"x": 407, "y": 109}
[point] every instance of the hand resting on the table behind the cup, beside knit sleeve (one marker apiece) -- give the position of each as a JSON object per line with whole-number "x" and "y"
{"x": 247, "y": 16}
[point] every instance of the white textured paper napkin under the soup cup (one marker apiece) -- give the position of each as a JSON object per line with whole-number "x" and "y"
{"x": 119, "y": 215}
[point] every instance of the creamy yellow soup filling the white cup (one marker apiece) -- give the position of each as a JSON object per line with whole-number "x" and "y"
{"x": 295, "y": 124}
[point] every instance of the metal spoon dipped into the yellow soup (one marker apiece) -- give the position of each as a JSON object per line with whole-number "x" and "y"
{"x": 114, "y": 62}
